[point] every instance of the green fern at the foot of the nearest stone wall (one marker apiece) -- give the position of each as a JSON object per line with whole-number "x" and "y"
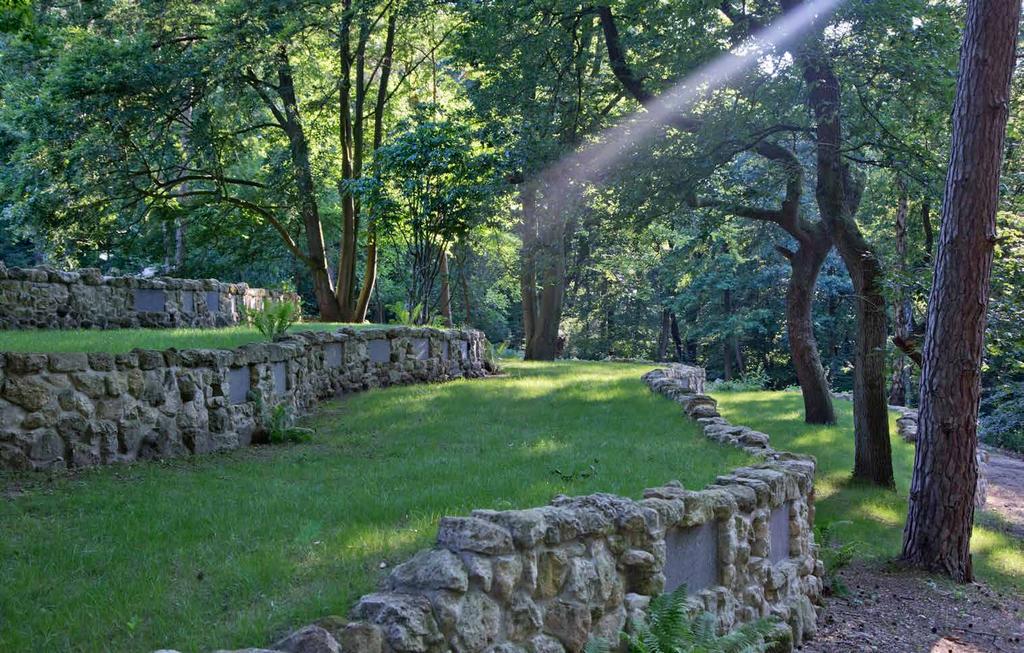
{"x": 669, "y": 629}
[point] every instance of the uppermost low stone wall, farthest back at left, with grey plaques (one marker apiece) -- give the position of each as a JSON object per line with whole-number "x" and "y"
{"x": 45, "y": 298}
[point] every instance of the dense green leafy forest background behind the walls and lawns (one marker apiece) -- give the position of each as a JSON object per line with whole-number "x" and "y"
{"x": 394, "y": 157}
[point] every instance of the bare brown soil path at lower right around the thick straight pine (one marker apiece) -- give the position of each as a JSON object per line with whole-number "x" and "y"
{"x": 892, "y": 611}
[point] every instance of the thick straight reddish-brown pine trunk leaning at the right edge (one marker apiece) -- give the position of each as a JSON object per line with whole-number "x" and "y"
{"x": 940, "y": 524}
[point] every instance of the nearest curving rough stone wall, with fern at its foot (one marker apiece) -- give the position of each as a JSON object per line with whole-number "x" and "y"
{"x": 548, "y": 580}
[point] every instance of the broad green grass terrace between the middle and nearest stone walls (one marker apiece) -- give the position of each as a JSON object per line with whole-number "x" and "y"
{"x": 233, "y": 550}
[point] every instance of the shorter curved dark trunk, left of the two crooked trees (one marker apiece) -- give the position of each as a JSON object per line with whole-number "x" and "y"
{"x": 806, "y": 265}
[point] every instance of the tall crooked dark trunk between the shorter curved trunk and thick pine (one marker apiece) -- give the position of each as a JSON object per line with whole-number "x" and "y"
{"x": 838, "y": 196}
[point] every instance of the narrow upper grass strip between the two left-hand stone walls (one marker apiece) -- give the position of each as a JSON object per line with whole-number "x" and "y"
{"x": 122, "y": 340}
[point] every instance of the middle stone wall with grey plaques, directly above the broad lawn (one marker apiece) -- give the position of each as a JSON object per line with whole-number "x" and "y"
{"x": 77, "y": 410}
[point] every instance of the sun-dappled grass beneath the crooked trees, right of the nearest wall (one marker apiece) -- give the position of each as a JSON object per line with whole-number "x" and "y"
{"x": 877, "y": 516}
